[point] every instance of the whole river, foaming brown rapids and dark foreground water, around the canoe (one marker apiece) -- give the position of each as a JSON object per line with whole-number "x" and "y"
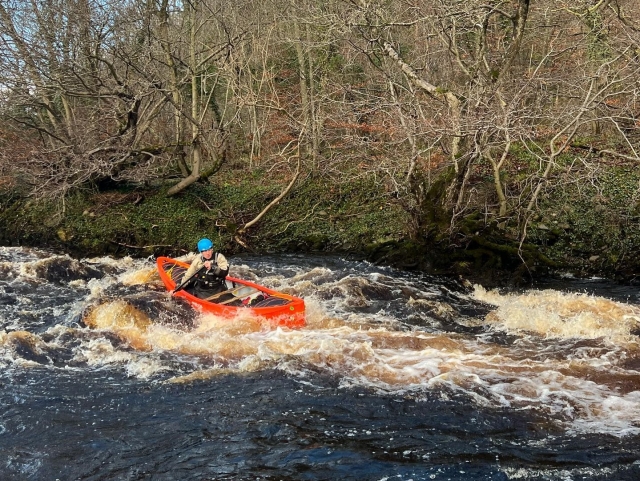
{"x": 396, "y": 376}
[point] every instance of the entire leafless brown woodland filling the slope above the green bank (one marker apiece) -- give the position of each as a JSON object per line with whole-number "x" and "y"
{"x": 424, "y": 98}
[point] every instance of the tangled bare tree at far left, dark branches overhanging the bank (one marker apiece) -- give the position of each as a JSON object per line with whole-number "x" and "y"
{"x": 91, "y": 116}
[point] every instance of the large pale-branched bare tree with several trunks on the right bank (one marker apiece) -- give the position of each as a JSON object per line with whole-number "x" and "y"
{"x": 490, "y": 75}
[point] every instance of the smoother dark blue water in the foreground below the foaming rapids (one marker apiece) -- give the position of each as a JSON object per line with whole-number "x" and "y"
{"x": 268, "y": 426}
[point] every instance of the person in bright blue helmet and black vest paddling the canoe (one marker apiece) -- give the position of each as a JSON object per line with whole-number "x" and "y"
{"x": 207, "y": 271}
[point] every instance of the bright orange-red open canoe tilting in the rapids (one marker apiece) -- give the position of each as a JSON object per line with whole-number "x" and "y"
{"x": 242, "y": 298}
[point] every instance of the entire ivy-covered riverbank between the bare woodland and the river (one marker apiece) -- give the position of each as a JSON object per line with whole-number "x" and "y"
{"x": 590, "y": 234}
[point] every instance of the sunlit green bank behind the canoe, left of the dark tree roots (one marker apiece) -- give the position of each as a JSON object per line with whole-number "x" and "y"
{"x": 314, "y": 217}
